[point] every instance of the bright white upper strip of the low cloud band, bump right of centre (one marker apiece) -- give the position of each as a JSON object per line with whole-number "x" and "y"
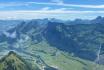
{"x": 56, "y": 11}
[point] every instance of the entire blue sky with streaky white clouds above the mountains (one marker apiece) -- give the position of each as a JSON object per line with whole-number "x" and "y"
{"x": 60, "y": 9}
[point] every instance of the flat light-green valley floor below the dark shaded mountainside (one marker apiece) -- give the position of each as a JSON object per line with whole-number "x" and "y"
{"x": 62, "y": 60}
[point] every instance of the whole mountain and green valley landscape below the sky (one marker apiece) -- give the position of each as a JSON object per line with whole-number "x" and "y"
{"x": 52, "y": 44}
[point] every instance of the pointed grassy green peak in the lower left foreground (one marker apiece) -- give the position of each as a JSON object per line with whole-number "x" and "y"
{"x": 12, "y": 61}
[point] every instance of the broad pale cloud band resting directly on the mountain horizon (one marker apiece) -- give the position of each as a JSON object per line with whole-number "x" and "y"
{"x": 61, "y": 14}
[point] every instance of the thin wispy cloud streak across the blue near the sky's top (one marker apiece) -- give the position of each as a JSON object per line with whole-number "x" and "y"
{"x": 53, "y": 2}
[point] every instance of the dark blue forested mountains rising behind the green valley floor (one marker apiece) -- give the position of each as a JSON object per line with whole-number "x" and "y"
{"x": 81, "y": 39}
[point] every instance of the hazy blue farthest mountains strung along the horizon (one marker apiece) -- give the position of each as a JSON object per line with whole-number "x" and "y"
{"x": 7, "y": 24}
